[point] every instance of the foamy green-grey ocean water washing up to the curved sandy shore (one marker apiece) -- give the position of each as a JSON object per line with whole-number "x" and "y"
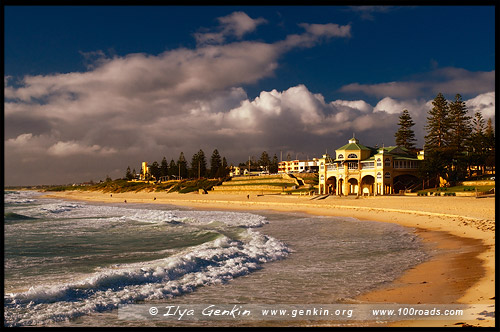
{"x": 73, "y": 263}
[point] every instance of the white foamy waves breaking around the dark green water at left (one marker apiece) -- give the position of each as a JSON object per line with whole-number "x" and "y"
{"x": 236, "y": 250}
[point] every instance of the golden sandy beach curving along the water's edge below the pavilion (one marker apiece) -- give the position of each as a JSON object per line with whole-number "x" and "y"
{"x": 462, "y": 228}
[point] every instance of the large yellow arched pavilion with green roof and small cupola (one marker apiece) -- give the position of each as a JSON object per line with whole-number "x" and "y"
{"x": 360, "y": 170}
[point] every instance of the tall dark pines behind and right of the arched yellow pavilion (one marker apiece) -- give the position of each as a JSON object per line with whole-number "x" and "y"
{"x": 456, "y": 144}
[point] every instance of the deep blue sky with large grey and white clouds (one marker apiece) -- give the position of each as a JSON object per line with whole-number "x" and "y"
{"x": 91, "y": 90}
